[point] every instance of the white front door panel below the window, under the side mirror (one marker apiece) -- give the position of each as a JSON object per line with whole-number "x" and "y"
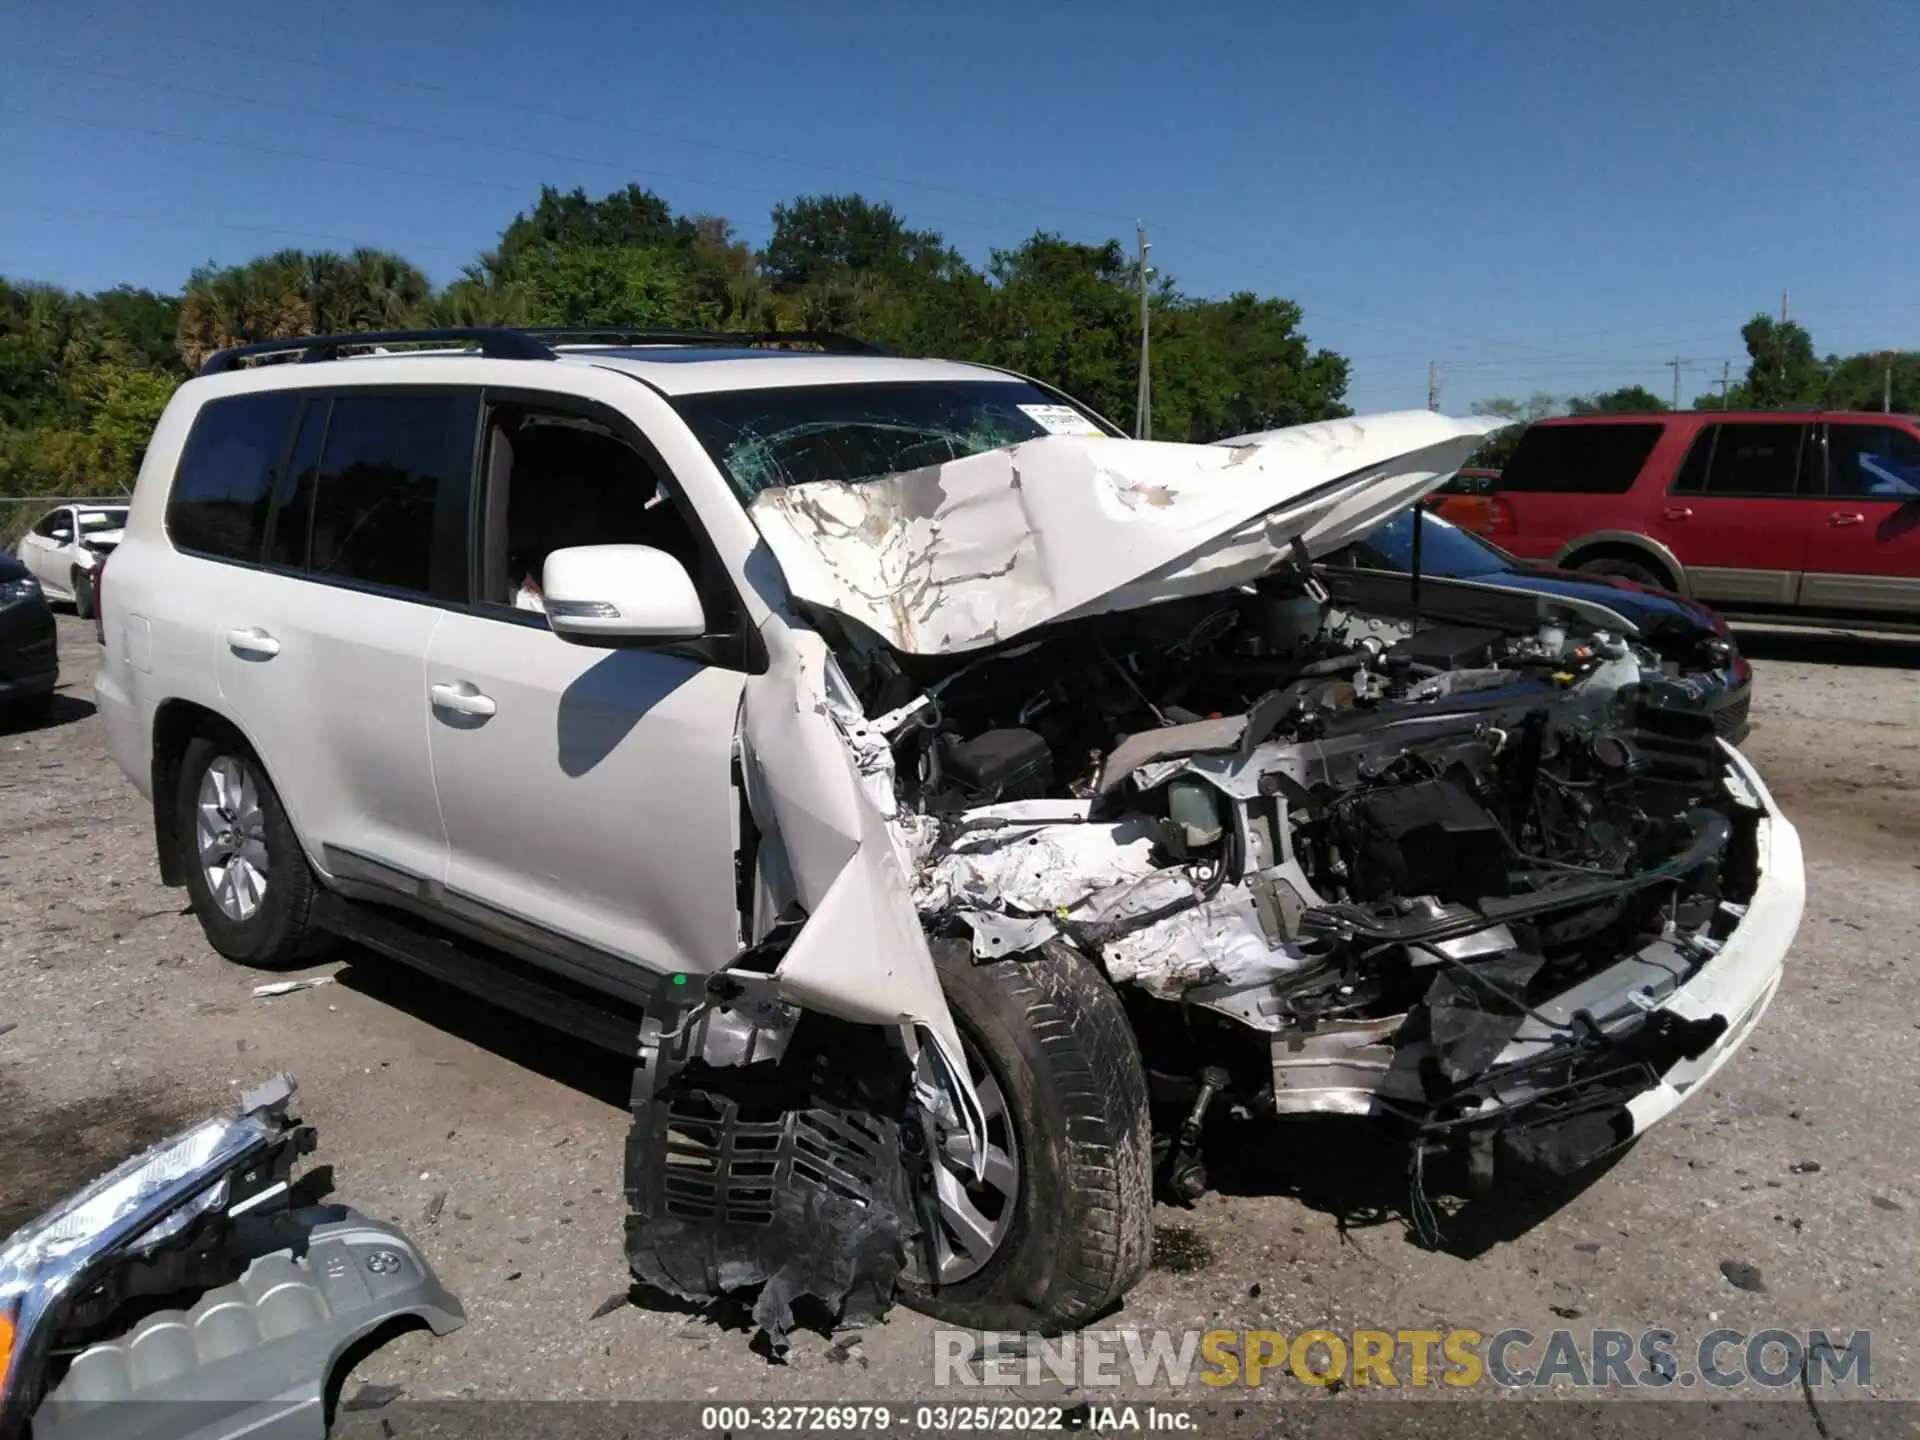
{"x": 596, "y": 802}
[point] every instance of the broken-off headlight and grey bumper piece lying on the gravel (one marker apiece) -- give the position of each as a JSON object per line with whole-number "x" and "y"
{"x": 287, "y": 1291}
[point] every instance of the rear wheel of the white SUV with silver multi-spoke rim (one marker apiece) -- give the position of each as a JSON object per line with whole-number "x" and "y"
{"x": 256, "y": 905}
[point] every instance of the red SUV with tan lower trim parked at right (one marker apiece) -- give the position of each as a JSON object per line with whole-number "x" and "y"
{"x": 1765, "y": 516}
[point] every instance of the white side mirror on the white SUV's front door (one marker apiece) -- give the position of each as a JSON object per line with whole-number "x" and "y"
{"x": 619, "y": 596}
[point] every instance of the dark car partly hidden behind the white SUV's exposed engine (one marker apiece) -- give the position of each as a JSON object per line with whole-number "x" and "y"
{"x": 1474, "y": 581}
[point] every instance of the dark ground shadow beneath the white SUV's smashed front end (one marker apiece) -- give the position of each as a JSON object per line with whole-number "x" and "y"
{"x": 1356, "y": 1172}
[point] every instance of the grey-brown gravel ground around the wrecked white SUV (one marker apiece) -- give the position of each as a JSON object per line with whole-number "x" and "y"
{"x": 500, "y": 1145}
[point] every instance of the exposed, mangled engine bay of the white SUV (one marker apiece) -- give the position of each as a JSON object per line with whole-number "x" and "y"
{"x": 1337, "y": 863}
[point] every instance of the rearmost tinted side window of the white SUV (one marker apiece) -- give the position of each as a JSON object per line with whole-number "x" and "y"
{"x": 226, "y": 479}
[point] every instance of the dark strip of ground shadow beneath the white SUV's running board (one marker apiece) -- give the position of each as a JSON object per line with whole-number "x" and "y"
{"x": 587, "y": 1068}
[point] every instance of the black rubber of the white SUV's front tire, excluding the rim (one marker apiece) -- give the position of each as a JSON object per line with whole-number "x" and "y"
{"x": 1059, "y": 1047}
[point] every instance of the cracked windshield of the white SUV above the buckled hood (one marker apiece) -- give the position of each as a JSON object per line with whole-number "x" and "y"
{"x": 794, "y": 437}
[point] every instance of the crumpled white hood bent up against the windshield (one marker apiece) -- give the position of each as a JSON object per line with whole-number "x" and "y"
{"x": 980, "y": 550}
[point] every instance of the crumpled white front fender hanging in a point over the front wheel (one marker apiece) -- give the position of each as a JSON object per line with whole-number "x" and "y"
{"x": 861, "y": 955}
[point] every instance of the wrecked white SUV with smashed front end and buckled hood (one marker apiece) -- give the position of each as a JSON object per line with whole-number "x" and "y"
{"x": 905, "y": 769}
